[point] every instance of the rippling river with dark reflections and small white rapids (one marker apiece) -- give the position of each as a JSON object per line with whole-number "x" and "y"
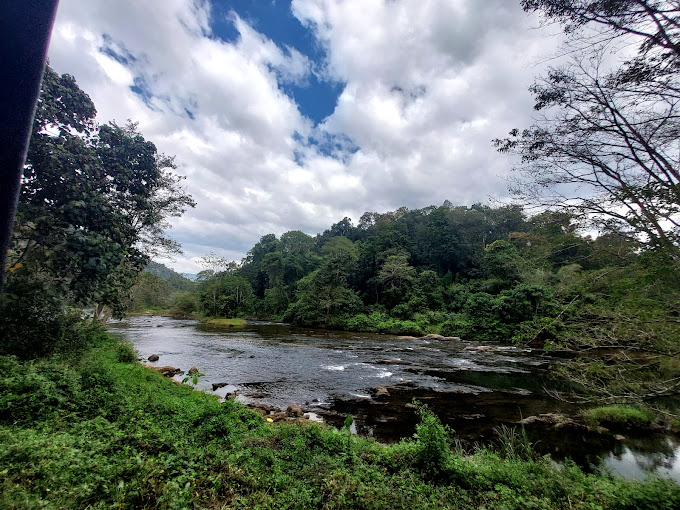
{"x": 472, "y": 387}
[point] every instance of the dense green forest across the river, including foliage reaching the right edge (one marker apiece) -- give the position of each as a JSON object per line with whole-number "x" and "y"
{"x": 478, "y": 273}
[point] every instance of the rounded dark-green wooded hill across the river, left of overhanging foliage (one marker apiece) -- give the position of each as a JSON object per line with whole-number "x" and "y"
{"x": 475, "y": 272}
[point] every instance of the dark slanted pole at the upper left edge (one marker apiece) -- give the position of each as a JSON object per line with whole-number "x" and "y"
{"x": 25, "y": 28}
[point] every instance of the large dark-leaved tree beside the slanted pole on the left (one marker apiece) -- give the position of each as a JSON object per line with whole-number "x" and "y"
{"x": 94, "y": 201}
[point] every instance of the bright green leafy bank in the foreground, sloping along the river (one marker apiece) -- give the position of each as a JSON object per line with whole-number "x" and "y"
{"x": 94, "y": 431}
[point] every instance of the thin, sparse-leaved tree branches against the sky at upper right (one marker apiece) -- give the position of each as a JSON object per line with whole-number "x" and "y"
{"x": 606, "y": 144}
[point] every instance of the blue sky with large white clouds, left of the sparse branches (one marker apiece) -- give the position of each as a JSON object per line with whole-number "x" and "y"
{"x": 291, "y": 115}
